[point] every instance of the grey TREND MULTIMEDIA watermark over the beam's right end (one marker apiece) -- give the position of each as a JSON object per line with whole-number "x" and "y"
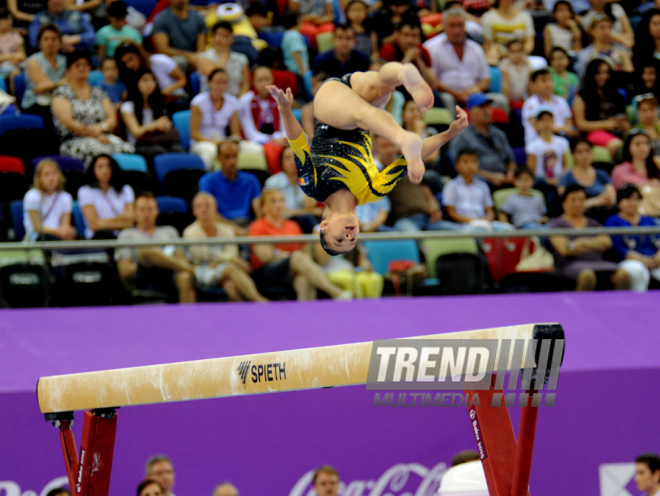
{"x": 495, "y": 372}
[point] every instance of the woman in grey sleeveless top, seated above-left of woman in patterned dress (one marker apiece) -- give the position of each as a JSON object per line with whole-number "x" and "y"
{"x": 45, "y": 72}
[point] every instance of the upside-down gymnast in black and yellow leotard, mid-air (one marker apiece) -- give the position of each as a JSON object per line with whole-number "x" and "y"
{"x": 339, "y": 170}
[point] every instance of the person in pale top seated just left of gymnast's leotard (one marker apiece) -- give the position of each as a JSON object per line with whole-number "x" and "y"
{"x": 299, "y": 207}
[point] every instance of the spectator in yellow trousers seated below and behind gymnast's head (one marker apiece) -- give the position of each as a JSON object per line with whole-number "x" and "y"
{"x": 362, "y": 281}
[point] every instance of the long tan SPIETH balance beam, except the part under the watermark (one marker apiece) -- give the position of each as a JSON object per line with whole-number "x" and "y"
{"x": 310, "y": 368}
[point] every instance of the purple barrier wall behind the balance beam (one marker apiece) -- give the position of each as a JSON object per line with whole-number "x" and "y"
{"x": 267, "y": 444}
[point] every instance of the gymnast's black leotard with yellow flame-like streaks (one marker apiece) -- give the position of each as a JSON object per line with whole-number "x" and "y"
{"x": 342, "y": 159}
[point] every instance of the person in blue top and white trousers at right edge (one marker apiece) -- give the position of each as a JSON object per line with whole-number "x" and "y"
{"x": 639, "y": 254}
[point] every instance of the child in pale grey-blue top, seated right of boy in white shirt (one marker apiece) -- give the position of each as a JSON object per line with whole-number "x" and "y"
{"x": 523, "y": 209}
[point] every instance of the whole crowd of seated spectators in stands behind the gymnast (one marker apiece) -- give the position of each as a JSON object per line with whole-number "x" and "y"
{"x": 172, "y": 102}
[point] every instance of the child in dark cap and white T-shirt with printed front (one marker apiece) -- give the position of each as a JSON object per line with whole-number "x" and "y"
{"x": 547, "y": 154}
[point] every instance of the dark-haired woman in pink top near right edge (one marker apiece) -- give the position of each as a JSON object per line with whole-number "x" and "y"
{"x": 638, "y": 161}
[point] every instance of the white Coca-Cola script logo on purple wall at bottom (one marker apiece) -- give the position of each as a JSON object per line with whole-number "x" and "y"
{"x": 404, "y": 479}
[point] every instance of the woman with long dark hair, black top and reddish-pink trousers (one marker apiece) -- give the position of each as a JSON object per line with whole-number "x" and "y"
{"x": 599, "y": 109}
